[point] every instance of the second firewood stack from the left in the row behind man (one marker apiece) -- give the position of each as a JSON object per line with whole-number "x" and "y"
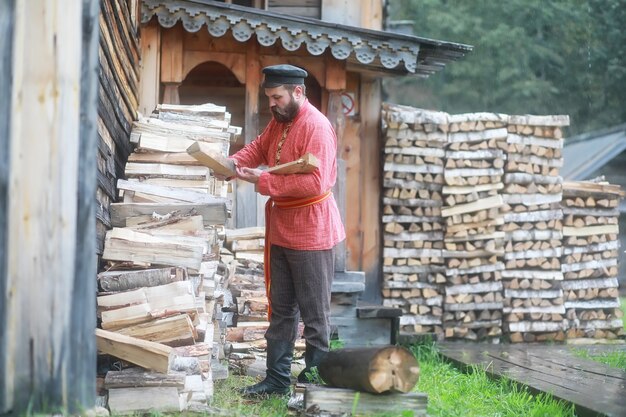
{"x": 473, "y": 246}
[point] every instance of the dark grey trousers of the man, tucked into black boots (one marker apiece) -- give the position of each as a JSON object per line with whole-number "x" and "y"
{"x": 300, "y": 286}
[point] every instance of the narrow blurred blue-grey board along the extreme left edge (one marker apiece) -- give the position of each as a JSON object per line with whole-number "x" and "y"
{"x": 7, "y": 16}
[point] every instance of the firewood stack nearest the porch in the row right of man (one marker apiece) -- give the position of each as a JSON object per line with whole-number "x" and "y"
{"x": 413, "y": 234}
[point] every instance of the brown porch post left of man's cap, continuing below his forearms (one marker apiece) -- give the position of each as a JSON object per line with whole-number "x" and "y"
{"x": 247, "y": 200}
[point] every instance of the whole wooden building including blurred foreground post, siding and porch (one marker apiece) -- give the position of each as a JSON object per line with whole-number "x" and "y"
{"x": 69, "y": 100}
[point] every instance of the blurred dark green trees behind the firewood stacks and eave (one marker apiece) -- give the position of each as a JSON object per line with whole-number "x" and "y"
{"x": 530, "y": 56}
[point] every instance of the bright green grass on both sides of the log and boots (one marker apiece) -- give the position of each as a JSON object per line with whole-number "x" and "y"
{"x": 451, "y": 393}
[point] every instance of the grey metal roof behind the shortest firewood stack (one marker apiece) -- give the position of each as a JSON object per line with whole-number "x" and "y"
{"x": 586, "y": 153}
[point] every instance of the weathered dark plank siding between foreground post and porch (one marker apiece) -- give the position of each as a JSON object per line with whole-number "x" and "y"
{"x": 118, "y": 98}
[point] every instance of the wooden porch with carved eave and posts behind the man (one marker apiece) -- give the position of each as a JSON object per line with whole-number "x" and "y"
{"x": 208, "y": 51}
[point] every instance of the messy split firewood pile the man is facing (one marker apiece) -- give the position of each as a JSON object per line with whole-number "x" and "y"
{"x": 159, "y": 294}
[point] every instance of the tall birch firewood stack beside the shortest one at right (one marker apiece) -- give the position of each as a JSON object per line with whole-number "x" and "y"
{"x": 534, "y": 308}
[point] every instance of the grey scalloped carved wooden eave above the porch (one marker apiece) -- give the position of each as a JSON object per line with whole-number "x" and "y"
{"x": 364, "y": 49}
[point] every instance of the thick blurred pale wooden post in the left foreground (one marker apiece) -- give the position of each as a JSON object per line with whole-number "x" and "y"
{"x": 47, "y": 299}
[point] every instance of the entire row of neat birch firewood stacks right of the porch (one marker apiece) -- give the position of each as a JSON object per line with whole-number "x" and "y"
{"x": 502, "y": 239}
